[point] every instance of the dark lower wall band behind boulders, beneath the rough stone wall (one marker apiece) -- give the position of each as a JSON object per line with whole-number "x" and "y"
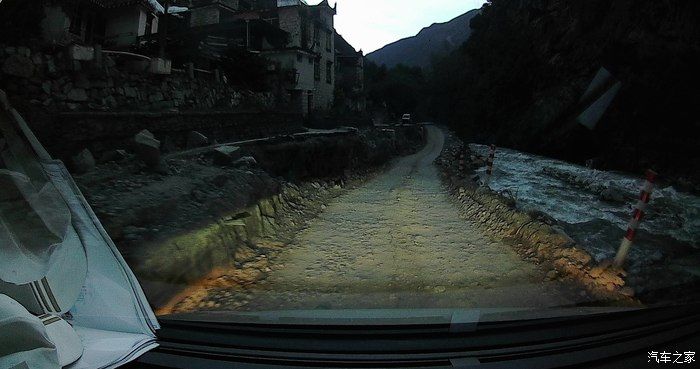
{"x": 65, "y": 134}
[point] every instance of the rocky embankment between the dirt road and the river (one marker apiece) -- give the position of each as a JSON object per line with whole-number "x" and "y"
{"x": 531, "y": 234}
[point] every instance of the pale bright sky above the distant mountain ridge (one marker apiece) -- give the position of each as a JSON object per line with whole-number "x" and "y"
{"x": 371, "y": 24}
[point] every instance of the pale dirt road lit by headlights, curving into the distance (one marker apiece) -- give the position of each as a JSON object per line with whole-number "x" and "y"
{"x": 398, "y": 242}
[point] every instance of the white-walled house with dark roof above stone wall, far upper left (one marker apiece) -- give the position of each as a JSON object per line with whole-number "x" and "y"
{"x": 113, "y": 23}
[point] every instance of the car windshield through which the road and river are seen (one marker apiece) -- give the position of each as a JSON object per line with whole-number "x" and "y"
{"x": 260, "y": 158}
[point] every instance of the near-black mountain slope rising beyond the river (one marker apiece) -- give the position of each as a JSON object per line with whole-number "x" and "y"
{"x": 520, "y": 77}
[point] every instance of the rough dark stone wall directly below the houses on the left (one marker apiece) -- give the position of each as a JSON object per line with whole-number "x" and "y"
{"x": 53, "y": 82}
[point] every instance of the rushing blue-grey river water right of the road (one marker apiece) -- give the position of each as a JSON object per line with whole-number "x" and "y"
{"x": 571, "y": 194}
